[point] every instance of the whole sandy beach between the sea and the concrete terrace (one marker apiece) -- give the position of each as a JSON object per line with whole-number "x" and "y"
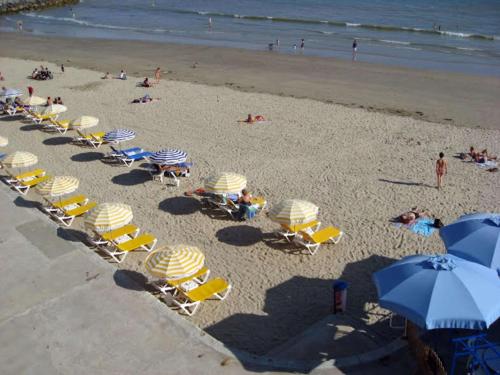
{"x": 361, "y": 167}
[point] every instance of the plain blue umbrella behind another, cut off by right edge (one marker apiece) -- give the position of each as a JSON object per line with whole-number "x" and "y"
{"x": 476, "y": 238}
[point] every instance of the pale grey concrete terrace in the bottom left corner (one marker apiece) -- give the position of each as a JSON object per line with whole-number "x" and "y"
{"x": 65, "y": 310}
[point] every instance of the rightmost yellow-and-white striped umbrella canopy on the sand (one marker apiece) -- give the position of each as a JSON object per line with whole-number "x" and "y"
{"x": 293, "y": 211}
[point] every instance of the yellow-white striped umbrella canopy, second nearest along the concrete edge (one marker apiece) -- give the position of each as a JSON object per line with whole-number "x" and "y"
{"x": 108, "y": 216}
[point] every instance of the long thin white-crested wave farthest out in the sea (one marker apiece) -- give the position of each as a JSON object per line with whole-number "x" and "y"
{"x": 340, "y": 24}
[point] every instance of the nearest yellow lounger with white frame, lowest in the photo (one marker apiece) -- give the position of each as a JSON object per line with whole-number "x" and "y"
{"x": 189, "y": 301}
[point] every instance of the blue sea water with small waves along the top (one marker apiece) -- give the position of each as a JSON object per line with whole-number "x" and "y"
{"x": 452, "y": 35}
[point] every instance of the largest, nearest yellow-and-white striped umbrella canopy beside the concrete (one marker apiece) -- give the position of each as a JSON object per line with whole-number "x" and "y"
{"x": 174, "y": 262}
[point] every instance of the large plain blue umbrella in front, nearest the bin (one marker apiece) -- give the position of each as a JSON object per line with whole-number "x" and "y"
{"x": 440, "y": 291}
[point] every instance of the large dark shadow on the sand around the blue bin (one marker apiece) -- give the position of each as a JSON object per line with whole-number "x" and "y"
{"x": 298, "y": 323}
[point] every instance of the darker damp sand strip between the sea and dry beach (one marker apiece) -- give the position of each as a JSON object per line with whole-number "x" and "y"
{"x": 440, "y": 97}
